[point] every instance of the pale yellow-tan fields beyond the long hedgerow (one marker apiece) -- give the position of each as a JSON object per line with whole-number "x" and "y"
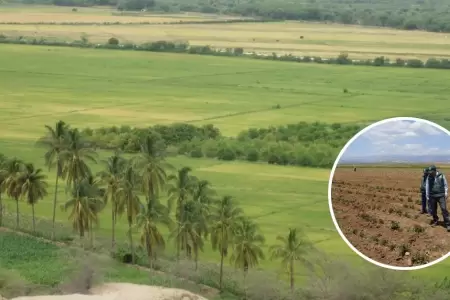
{"x": 290, "y": 37}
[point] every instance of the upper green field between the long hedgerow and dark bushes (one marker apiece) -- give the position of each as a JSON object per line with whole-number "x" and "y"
{"x": 101, "y": 87}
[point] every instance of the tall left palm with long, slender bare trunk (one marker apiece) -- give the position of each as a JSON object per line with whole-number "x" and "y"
{"x": 55, "y": 142}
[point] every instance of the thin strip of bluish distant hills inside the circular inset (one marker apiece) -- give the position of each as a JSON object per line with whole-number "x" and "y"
{"x": 394, "y": 159}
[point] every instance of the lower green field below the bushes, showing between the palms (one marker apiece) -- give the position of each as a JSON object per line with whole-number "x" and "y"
{"x": 271, "y": 195}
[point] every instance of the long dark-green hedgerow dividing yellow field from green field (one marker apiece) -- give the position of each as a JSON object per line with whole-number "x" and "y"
{"x": 182, "y": 47}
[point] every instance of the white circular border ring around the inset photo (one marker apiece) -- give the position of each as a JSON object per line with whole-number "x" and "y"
{"x": 330, "y": 184}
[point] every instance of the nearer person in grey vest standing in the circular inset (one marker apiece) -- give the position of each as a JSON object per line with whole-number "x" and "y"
{"x": 436, "y": 190}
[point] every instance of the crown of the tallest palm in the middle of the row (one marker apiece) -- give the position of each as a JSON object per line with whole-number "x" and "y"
{"x": 152, "y": 167}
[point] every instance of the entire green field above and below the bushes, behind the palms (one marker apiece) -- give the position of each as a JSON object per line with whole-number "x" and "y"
{"x": 40, "y": 85}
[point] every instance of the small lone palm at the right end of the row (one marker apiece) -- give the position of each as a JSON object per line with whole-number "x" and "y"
{"x": 293, "y": 248}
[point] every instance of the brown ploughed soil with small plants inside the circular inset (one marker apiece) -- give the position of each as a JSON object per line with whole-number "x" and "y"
{"x": 378, "y": 210}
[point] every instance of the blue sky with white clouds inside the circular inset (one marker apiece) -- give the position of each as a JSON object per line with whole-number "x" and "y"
{"x": 400, "y": 137}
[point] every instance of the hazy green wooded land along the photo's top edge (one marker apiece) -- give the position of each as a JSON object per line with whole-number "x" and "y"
{"x": 431, "y": 15}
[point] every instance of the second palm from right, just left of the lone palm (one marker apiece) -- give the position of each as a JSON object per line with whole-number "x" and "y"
{"x": 247, "y": 244}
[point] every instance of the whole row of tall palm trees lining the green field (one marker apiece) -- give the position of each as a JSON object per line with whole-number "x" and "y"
{"x": 193, "y": 214}
